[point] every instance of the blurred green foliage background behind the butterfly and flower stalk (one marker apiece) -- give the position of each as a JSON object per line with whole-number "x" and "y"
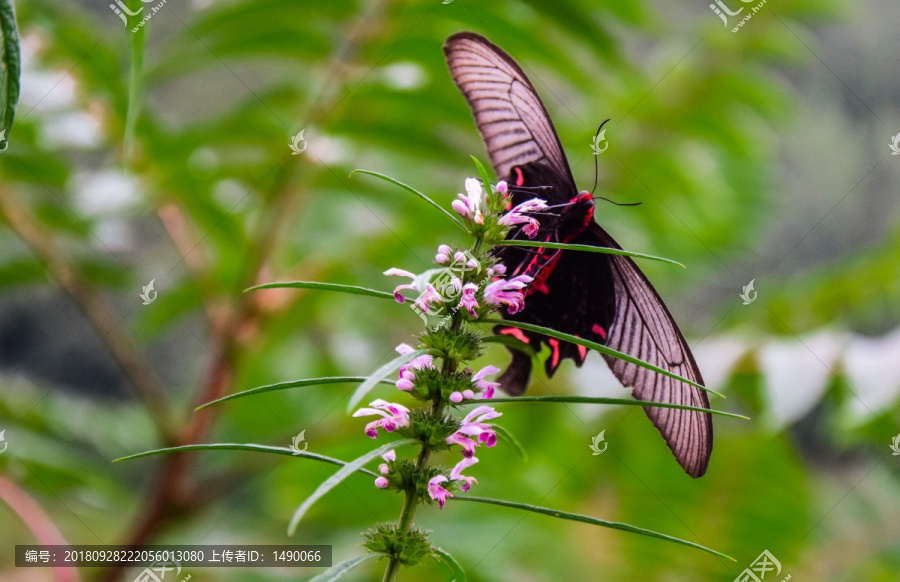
{"x": 163, "y": 154}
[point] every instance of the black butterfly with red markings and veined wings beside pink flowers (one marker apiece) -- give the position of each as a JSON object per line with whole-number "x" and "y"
{"x": 600, "y": 297}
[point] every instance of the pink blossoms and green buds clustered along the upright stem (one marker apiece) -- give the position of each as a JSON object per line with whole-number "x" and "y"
{"x": 467, "y": 285}
